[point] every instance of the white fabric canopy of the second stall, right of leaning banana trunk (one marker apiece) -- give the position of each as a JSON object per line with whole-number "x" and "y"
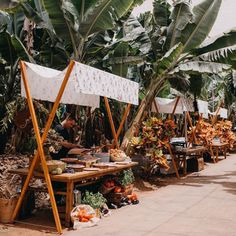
{"x": 166, "y": 105}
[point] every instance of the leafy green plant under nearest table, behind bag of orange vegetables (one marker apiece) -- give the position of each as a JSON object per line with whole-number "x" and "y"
{"x": 95, "y": 200}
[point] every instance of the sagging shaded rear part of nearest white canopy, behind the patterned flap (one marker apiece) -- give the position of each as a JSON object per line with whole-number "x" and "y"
{"x": 44, "y": 84}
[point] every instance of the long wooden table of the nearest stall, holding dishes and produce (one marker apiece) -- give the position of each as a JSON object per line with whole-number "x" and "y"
{"x": 70, "y": 179}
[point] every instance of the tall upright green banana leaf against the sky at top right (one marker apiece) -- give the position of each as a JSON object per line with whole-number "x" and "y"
{"x": 205, "y": 15}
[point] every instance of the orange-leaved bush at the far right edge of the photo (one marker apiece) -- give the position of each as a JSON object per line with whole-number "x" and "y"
{"x": 225, "y": 133}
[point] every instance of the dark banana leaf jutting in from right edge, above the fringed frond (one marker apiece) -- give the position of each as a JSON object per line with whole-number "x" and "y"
{"x": 224, "y": 40}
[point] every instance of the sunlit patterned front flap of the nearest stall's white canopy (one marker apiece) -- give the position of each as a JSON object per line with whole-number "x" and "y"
{"x": 94, "y": 81}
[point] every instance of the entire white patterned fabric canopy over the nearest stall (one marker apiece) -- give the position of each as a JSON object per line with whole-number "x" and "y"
{"x": 84, "y": 87}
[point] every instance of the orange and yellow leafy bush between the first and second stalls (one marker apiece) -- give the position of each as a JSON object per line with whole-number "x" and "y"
{"x": 153, "y": 135}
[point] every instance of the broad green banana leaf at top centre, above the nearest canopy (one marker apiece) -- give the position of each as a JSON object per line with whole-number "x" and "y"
{"x": 102, "y": 16}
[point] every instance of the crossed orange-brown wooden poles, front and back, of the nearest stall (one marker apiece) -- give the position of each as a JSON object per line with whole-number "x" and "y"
{"x": 39, "y": 156}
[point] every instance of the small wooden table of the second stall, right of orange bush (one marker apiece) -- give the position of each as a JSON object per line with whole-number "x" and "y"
{"x": 189, "y": 152}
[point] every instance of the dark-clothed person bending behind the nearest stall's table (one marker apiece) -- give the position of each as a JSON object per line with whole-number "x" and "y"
{"x": 63, "y": 130}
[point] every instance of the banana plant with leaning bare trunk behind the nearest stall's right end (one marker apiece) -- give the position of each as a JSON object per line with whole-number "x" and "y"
{"x": 185, "y": 34}
